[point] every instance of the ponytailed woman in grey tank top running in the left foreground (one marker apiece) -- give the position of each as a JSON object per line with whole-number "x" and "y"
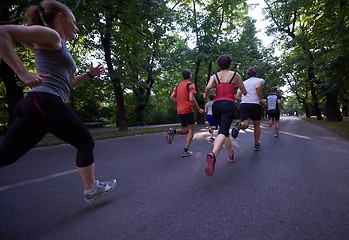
{"x": 44, "y": 109}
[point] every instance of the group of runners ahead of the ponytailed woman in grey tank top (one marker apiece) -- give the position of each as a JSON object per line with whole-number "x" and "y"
{"x": 221, "y": 109}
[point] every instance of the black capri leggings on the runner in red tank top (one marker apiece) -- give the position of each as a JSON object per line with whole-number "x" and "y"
{"x": 224, "y": 112}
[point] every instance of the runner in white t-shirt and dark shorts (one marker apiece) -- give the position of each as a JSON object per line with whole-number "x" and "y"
{"x": 250, "y": 108}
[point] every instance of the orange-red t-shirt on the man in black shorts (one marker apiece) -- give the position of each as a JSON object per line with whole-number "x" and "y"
{"x": 184, "y": 105}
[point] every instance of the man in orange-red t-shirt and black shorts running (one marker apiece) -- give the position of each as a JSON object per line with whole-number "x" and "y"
{"x": 184, "y": 96}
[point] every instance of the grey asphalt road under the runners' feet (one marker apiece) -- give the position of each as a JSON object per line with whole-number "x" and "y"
{"x": 295, "y": 187}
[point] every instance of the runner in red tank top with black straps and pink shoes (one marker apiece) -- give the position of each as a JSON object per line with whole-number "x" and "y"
{"x": 223, "y": 109}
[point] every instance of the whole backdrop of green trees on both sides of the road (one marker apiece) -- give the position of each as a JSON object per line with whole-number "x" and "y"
{"x": 145, "y": 45}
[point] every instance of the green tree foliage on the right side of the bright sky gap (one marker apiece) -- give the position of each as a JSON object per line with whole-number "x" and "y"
{"x": 316, "y": 34}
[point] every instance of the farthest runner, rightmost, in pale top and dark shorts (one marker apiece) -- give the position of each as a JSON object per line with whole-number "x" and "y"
{"x": 274, "y": 105}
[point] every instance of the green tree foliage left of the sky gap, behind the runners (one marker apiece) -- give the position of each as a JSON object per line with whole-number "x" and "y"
{"x": 151, "y": 42}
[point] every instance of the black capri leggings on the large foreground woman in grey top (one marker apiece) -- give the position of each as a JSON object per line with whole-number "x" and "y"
{"x": 36, "y": 115}
